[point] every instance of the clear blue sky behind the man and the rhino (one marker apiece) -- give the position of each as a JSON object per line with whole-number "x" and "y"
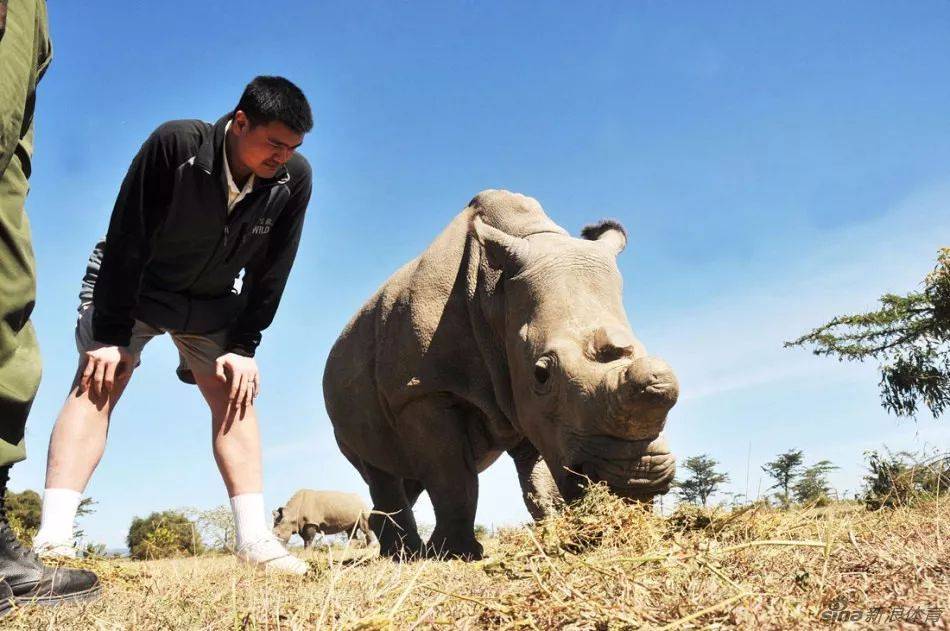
{"x": 774, "y": 166}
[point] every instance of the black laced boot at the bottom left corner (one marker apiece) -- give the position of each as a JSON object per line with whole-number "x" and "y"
{"x": 24, "y": 577}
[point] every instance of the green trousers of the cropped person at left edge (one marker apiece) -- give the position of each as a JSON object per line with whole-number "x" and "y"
{"x": 25, "y": 53}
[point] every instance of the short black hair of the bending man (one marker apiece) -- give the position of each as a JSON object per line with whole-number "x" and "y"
{"x": 268, "y": 99}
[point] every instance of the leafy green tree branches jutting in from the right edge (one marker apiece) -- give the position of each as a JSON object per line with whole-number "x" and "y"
{"x": 910, "y": 337}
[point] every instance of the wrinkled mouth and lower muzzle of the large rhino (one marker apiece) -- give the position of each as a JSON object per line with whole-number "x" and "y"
{"x": 636, "y": 469}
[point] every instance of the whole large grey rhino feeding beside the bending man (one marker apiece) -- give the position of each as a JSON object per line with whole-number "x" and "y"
{"x": 505, "y": 335}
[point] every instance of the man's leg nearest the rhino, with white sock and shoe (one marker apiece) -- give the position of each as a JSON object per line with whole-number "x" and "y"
{"x": 236, "y": 442}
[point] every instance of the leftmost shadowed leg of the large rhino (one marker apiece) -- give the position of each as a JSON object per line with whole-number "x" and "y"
{"x": 392, "y": 519}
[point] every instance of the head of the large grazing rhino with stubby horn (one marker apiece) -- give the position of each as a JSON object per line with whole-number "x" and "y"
{"x": 586, "y": 392}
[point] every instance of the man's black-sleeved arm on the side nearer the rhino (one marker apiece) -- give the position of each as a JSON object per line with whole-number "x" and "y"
{"x": 266, "y": 276}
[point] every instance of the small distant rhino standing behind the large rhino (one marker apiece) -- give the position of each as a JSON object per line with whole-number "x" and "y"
{"x": 325, "y": 512}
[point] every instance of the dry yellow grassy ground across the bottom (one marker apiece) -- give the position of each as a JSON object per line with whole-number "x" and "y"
{"x": 602, "y": 565}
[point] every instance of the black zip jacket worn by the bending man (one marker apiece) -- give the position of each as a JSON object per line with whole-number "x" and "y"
{"x": 173, "y": 252}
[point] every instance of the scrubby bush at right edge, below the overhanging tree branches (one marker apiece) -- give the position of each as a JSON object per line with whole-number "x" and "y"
{"x": 903, "y": 478}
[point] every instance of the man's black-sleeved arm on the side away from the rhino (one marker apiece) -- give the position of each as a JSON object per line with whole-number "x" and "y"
{"x": 139, "y": 209}
